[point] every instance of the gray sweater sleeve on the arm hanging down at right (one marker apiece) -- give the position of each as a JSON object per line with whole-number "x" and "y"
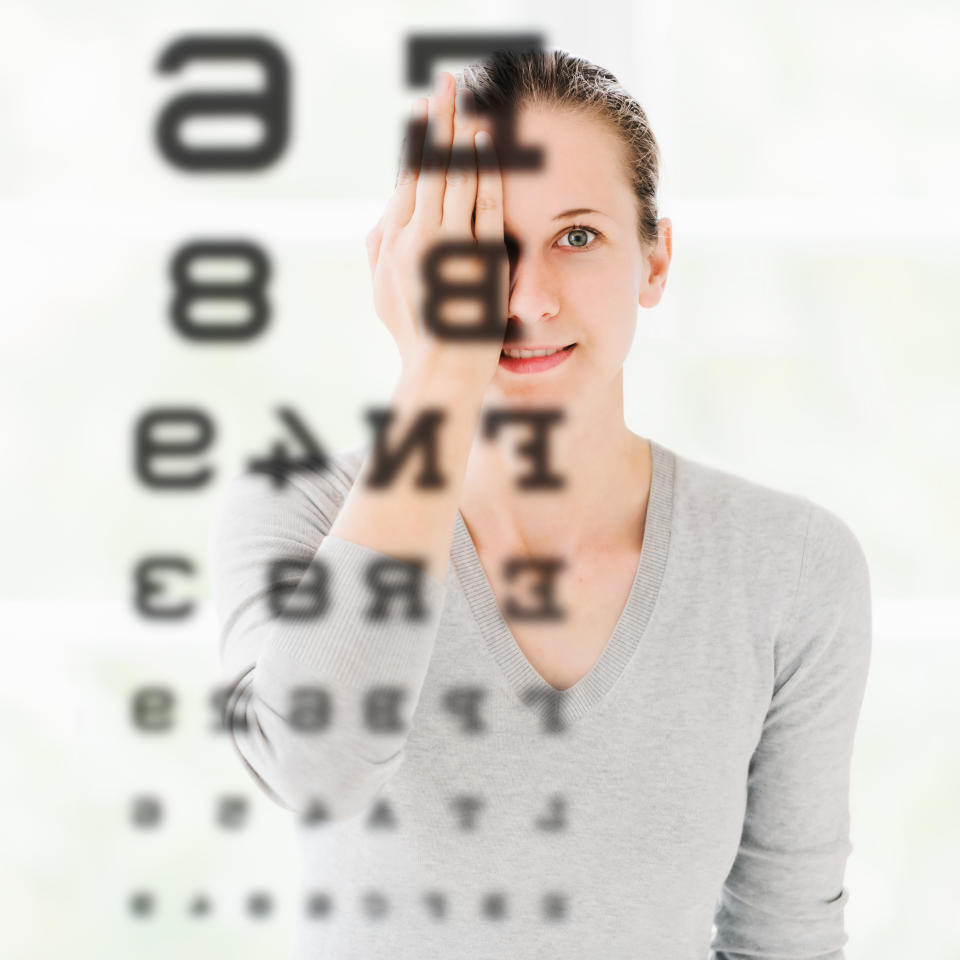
{"x": 784, "y": 896}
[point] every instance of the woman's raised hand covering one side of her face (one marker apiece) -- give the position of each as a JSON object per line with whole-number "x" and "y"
{"x": 434, "y": 205}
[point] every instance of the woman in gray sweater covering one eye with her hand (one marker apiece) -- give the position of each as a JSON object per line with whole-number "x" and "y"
{"x": 611, "y": 717}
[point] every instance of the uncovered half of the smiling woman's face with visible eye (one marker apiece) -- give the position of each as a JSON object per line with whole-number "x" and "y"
{"x": 577, "y": 268}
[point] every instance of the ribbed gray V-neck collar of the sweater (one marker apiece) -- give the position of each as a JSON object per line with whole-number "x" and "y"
{"x": 529, "y": 686}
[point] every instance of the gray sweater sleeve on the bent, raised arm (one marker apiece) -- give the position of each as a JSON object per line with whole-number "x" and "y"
{"x": 319, "y": 704}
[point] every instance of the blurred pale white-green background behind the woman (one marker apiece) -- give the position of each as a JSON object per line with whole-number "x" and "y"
{"x": 808, "y": 339}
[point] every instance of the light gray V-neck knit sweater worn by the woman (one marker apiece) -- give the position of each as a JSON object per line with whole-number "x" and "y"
{"x": 688, "y": 796}
